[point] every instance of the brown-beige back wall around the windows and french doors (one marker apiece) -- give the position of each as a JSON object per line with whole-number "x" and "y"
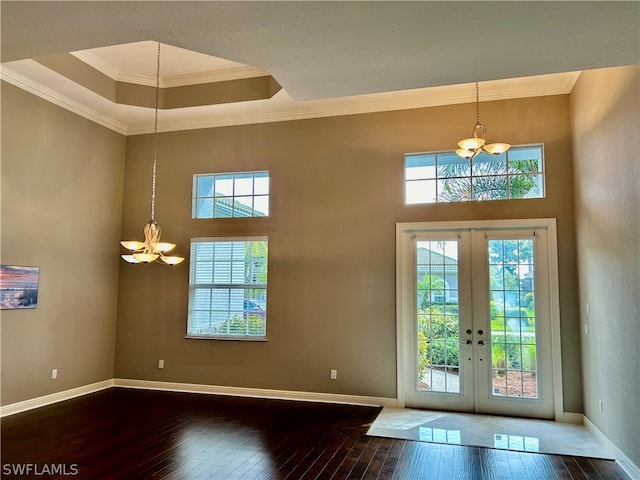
{"x": 337, "y": 193}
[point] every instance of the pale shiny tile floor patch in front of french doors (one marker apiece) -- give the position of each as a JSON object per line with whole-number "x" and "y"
{"x": 506, "y": 433}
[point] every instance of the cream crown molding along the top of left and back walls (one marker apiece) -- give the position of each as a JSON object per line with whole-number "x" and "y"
{"x": 281, "y": 107}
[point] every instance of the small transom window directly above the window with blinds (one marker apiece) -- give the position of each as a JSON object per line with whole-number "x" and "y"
{"x": 225, "y": 195}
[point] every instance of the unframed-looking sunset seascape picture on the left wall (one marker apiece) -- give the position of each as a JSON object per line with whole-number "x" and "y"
{"x": 18, "y": 287}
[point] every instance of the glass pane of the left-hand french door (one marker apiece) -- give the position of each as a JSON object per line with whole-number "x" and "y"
{"x": 438, "y": 342}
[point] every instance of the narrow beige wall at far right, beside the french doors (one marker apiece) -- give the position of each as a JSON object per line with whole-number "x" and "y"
{"x": 605, "y": 107}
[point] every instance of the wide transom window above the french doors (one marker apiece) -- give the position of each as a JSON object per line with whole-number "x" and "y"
{"x": 438, "y": 177}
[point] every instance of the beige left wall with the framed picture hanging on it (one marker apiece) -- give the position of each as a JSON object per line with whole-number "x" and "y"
{"x": 62, "y": 180}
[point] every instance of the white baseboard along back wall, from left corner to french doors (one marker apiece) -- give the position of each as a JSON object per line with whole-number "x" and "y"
{"x": 257, "y": 392}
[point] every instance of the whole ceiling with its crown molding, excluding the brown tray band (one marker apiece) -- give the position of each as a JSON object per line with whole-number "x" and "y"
{"x": 330, "y": 57}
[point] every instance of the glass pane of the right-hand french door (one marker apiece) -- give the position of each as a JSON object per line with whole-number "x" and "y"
{"x": 513, "y": 325}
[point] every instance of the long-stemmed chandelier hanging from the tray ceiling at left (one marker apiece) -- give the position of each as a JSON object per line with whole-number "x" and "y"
{"x": 152, "y": 249}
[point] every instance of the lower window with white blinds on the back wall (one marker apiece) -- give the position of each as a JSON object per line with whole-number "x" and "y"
{"x": 228, "y": 288}
